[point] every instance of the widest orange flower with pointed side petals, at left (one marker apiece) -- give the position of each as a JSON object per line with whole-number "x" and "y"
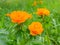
{"x": 19, "y": 16}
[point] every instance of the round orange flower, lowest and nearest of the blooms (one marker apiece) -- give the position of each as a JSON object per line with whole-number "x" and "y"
{"x": 35, "y": 28}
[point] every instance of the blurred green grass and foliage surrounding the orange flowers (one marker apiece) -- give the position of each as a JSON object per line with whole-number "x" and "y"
{"x": 10, "y": 36}
